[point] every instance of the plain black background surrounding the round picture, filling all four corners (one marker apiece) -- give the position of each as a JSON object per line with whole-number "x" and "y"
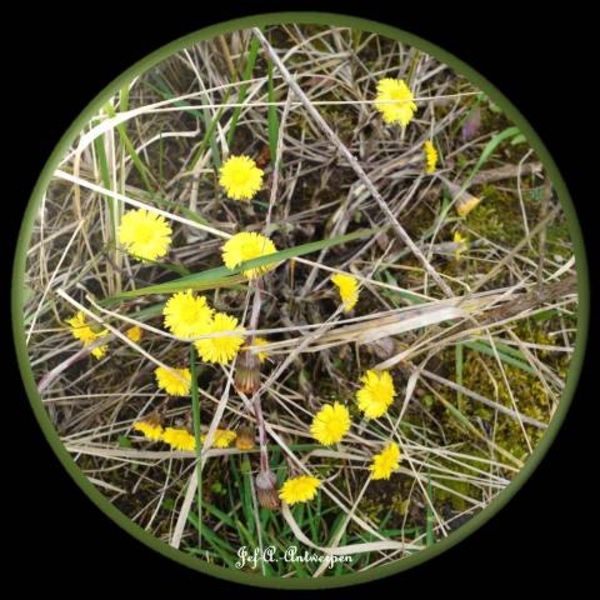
{"x": 62, "y": 60}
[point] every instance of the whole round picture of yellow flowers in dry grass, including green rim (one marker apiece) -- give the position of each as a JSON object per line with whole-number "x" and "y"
{"x": 299, "y": 300}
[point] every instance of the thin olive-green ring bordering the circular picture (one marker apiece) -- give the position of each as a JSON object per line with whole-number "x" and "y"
{"x": 19, "y": 326}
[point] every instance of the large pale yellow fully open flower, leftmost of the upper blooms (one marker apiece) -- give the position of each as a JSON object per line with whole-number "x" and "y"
{"x": 144, "y": 234}
